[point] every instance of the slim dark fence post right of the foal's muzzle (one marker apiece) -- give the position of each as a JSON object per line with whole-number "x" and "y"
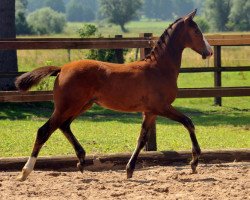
{"x": 217, "y": 73}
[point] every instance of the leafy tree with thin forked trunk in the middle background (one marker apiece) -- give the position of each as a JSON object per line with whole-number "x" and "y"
{"x": 119, "y": 11}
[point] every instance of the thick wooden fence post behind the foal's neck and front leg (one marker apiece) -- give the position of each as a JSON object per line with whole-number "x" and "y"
{"x": 151, "y": 145}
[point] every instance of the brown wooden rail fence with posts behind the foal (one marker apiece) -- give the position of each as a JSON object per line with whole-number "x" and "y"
{"x": 144, "y": 42}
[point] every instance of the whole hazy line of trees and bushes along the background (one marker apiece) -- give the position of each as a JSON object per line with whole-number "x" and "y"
{"x": 50, "y": 16}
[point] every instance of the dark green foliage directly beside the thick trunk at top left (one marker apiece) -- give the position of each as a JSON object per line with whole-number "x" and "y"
{"x": 22, "y": 26}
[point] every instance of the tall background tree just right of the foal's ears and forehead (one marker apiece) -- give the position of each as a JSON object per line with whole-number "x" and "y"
{"x": 217, "y": 12}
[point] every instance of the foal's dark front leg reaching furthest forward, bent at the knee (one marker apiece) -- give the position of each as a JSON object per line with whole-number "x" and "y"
{"x": 175, "y": 115}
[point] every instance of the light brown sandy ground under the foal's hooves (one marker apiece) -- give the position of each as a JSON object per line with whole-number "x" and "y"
{"x": 213, "y": 181}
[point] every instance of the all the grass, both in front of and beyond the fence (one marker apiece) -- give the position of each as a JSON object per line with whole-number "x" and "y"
{"x": 101, "y": 131}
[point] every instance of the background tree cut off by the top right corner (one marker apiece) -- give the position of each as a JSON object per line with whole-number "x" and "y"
{"x": 239, "y": 18}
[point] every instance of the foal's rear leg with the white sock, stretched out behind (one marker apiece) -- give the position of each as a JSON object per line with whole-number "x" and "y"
{"x": 43, "y": 135}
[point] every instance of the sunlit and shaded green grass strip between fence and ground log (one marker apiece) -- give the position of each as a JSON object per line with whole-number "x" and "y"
{"x": 104, "y": 131}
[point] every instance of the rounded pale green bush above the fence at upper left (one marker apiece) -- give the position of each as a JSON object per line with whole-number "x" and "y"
{"x": 46, "y": 21}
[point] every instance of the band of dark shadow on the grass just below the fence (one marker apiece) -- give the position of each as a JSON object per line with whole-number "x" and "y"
{"x": 42, "y": 111}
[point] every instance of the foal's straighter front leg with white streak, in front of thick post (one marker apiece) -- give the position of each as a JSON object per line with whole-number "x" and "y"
{"x": 148, "y": 121}
